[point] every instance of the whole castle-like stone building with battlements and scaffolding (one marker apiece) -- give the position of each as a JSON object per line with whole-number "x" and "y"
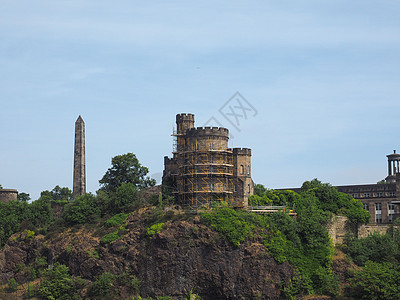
{"x": 204, "y": 170}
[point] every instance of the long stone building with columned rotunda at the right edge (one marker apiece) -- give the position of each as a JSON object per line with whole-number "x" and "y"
{"x": 382, "y": 199}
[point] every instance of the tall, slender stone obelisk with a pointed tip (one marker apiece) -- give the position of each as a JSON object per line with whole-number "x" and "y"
{"x": 79, "y": 159}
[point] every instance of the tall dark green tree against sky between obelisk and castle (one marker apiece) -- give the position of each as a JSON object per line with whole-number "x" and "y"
{"x": 126, "y": 169}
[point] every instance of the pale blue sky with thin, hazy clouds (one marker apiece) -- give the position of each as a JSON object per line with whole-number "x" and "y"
{"x": 312, "y": 87}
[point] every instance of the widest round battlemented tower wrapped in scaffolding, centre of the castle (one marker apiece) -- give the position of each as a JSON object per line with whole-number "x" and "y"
{"x": 206, "y": 167}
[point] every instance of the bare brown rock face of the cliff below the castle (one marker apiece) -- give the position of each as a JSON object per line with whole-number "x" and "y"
{"x": 184, "y": 256}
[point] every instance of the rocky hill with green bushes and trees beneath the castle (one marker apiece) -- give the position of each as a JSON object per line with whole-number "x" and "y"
{"x": 124, "y": 242}
